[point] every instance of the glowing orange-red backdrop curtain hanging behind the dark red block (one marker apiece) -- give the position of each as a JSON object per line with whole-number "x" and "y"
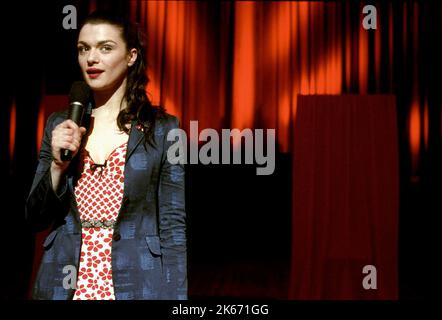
{"x": 242, "y": 64}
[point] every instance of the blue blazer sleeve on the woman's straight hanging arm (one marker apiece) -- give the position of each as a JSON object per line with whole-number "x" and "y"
{"x": 172, "y": 222}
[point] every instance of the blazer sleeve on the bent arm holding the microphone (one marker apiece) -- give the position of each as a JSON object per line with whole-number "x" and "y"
{"x": 43, "y": 205}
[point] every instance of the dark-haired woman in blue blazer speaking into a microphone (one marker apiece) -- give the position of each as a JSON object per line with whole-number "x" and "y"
{"x": 116, "y": 210}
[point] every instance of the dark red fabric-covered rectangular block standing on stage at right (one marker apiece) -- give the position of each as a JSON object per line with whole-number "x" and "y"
{"x": 345, "y": 197}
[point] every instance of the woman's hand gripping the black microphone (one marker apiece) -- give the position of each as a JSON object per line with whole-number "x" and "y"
{"x": 67, "y": 135}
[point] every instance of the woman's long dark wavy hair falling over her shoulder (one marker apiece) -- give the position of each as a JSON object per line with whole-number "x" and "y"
{"x": 139, "y": 107}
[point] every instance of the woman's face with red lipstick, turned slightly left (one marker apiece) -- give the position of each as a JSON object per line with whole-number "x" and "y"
{"x": 103, "y": 56}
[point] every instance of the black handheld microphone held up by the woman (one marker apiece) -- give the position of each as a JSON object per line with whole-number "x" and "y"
{"x": 79, "y": 97}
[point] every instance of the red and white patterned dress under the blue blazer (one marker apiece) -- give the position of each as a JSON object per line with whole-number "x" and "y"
{"x": 99, "y": 192}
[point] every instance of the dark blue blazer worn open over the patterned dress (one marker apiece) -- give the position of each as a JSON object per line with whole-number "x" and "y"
{"x": 149, "y": 259}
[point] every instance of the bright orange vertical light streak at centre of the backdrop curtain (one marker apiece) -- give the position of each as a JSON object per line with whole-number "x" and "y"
{"x": 243, "y": 66}
